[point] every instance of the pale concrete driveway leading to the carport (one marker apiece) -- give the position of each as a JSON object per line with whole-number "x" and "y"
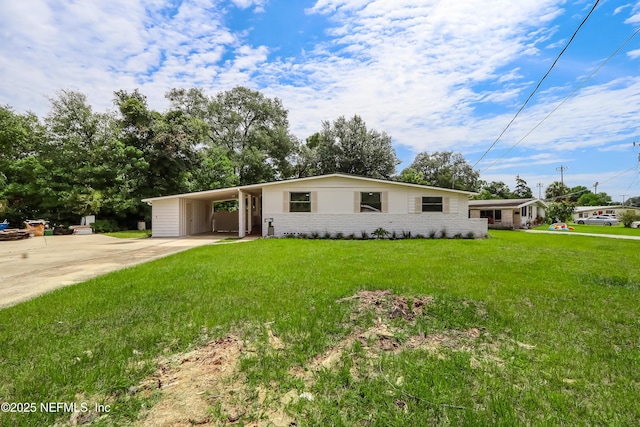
{"x": 34, "y": 266}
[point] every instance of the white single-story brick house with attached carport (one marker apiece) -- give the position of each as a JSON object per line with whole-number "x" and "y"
{"x": 335, "y": 203}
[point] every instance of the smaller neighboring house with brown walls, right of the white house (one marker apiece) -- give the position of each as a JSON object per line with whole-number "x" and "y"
{"x": 509, "y": 213}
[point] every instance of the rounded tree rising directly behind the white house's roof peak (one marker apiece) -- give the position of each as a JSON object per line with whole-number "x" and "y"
{"x": 347, "y": 146}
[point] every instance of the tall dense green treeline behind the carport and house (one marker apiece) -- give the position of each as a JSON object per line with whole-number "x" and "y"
{"x": 76, "y": 161}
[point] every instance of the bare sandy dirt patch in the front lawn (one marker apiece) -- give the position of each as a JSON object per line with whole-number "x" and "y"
{"x": 206, "y": 386}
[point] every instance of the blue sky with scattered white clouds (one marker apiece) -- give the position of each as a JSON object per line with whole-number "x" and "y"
{"x": 433, "y": 74}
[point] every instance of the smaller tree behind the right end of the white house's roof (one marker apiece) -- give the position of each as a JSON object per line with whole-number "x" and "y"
{"x": 447, "y": 170}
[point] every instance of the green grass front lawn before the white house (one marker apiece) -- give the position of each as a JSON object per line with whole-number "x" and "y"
{"x": 559, "y": 343}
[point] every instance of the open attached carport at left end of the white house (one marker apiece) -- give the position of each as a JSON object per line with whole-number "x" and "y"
{"x": 193, "y": 213}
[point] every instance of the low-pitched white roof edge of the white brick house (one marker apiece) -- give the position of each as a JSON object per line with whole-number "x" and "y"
{"x": 232, "y": 192}
